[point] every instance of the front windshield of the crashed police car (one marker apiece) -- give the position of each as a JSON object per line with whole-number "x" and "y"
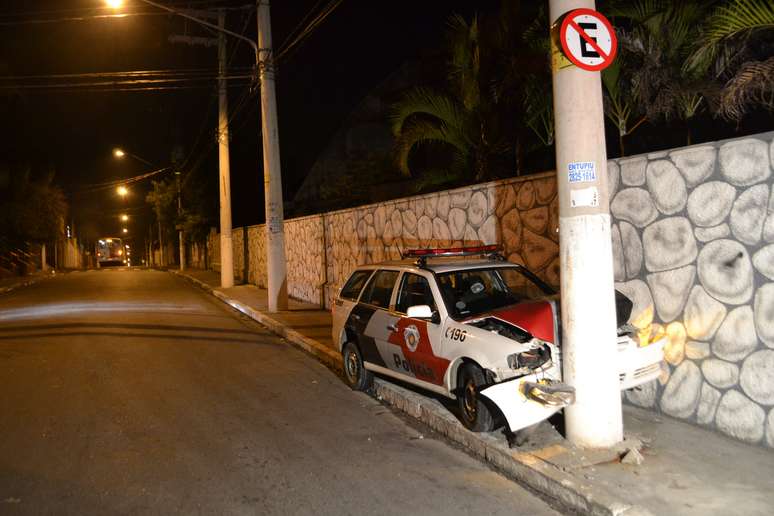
{"x": 468, "y": 293}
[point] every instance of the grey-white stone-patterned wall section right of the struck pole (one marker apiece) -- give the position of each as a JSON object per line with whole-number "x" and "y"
{"x": 693, "y": 242}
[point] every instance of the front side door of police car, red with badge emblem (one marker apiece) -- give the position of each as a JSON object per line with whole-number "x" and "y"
{"x": 416, "y": 343}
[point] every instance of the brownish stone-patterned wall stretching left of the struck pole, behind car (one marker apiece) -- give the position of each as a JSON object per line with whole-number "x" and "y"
{"x": 322, "y": 250}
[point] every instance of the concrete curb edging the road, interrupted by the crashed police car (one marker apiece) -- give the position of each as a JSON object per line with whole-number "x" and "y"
{"x": 525, "y": 467}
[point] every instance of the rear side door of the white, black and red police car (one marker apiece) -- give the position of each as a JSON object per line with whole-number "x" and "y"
{"x": 371, "y": 317}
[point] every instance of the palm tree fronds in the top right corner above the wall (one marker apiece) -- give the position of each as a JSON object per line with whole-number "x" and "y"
{"x": 727, "y": 50}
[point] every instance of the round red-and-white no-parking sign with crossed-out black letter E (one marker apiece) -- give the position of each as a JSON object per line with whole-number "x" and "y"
{"x": 588, "y": 39}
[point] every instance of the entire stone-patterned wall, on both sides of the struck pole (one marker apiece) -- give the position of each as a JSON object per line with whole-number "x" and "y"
{"x": 693, "y": 244}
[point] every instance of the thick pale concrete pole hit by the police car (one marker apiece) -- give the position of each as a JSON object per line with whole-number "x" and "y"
{"x": 588, "y": 304}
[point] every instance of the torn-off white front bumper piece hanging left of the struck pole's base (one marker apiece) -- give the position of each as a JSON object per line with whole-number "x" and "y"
{"x": 530, "y": 399}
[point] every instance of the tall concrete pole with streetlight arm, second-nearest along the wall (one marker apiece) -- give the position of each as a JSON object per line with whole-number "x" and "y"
{"x": 272, "y": 175}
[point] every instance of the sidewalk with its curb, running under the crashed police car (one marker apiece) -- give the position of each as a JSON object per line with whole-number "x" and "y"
{"x": 686, "y": 470}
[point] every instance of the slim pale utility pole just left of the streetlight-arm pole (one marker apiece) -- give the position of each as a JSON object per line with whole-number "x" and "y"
{"x": 226, "y": 251}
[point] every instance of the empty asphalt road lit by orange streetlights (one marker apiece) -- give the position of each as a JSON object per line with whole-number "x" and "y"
{"x": 132, "y": 392}
